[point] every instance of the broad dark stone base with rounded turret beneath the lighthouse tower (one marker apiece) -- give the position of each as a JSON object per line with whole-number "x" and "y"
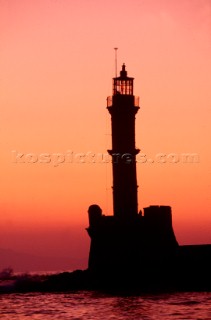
{"x": 132, "y": 244}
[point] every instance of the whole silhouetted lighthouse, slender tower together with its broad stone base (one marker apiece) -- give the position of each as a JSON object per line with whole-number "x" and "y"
{"x": 127, "y": 240}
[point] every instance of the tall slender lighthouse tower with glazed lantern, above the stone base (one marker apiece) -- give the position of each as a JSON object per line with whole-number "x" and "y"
{"x": 123, "y": 106}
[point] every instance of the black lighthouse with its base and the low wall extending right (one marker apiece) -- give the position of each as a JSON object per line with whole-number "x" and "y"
{"x": 129, "y": 250}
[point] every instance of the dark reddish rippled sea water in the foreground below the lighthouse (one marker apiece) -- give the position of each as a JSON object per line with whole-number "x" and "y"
{"x": 91, "y": 305}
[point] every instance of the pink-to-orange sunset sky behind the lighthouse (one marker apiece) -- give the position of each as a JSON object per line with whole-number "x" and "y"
{"x": 56, "y": 66}
